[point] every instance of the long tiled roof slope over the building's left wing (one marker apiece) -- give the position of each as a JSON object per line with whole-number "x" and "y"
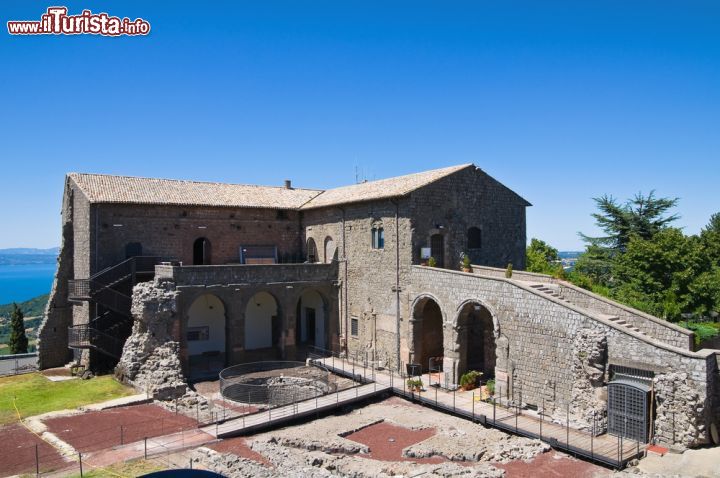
{"x": 100, "y": 188}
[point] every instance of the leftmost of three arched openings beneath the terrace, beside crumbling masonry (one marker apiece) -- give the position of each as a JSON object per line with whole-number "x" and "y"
{"x": 205, "y": 335}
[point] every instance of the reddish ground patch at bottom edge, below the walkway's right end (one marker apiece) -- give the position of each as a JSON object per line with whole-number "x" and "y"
{"x": 551, "y": 464}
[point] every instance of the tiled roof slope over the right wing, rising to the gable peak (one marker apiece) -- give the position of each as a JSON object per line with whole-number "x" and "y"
{"x": 381, "y": 189}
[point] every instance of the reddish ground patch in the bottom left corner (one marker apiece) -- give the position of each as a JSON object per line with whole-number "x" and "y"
{"x": 18, "y": 454}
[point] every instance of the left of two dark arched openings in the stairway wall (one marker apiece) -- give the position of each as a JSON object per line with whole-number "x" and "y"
{"x": 427, "y": 326}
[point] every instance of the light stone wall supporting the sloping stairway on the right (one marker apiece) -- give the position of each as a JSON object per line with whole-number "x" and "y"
{"x": 544, "y": 347}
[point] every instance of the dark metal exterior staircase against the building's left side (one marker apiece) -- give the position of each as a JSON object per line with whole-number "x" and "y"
{"x": 110, "y": 290}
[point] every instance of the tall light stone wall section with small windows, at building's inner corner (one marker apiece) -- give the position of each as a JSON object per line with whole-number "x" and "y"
{"x": 368, "y": 275}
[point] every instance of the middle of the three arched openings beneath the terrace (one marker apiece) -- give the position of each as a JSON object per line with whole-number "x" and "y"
{"x": 262, "y": 321}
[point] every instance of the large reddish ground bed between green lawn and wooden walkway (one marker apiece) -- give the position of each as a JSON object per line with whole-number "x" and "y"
{"x": 94, "y": 431}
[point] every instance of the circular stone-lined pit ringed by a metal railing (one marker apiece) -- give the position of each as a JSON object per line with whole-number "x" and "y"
{"x": 275, "y": 383}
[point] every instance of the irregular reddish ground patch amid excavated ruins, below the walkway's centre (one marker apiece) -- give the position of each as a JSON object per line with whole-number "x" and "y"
{"x": 387, "y": 441}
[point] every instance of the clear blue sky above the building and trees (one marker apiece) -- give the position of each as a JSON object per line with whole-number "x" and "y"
{"x": 561, "y": 101}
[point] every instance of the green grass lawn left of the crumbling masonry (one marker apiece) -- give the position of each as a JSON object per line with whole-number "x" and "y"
{"x": 36, "y": 394}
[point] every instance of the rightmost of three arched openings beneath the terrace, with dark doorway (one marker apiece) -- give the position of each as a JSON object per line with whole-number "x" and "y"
{"x": 312, "y": 319}
